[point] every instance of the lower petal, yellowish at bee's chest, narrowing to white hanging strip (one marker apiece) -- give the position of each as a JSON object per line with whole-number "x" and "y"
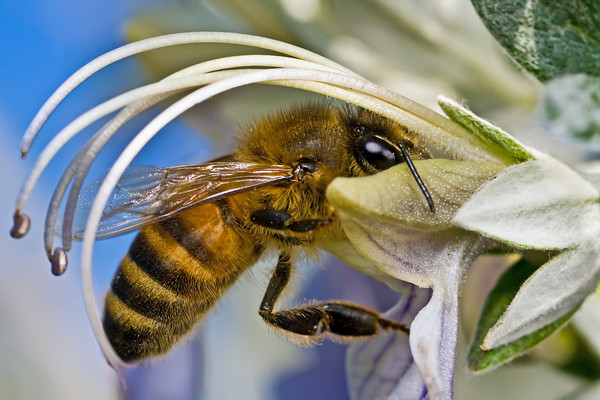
{"x": 427, "y": 258}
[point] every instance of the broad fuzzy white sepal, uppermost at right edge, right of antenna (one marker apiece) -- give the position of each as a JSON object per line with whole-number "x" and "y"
{"x": 539, "y": 204}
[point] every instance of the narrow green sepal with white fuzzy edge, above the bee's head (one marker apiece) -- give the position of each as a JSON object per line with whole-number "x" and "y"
{"x": 499, "y": 142}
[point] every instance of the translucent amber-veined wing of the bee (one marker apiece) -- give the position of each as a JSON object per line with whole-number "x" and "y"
{"x": 145, "y": 195}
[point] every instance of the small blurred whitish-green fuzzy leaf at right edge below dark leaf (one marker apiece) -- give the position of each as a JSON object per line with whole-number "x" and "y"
{"x": 569, "y": 107}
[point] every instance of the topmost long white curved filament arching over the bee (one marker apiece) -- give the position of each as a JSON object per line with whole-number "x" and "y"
{"x": 155, "y": 43}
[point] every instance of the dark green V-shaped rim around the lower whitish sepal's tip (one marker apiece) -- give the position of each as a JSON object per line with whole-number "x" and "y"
{"x": 496, "y": 304}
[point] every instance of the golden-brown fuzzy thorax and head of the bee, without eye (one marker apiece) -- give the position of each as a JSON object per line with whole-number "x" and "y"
{"x": 322, "y": 133}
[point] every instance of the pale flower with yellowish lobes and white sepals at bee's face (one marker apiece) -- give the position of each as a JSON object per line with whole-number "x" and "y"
{"x": 537, "y": 204}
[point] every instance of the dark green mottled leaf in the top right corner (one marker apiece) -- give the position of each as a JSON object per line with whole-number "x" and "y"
{"x": 548, "y": 38}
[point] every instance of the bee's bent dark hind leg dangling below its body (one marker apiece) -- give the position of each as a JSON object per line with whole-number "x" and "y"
{"x": 338, "y": 318}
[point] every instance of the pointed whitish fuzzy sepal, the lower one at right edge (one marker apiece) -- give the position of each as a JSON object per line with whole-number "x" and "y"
{"x": 553, "y": 290}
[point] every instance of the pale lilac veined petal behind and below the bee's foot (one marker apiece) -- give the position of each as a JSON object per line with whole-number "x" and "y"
{"x": 384, "y": 367}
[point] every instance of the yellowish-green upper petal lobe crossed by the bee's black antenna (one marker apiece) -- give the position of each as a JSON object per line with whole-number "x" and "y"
{"x": 394, "y": 196}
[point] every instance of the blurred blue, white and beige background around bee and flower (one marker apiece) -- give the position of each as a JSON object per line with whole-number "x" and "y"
{"x": 419, "y": 49}
